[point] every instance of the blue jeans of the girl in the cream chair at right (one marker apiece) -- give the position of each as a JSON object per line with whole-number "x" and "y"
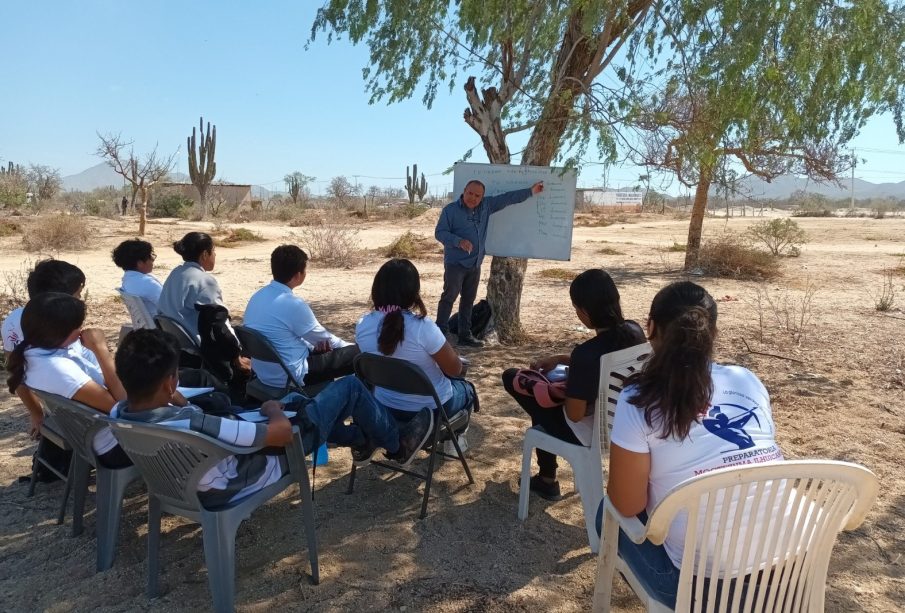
{"x": 649, "y": 563}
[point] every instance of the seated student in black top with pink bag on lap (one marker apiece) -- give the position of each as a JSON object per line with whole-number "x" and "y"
{"x": 596, "y": 302}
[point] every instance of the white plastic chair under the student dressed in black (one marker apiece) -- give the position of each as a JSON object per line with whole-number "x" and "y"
{"x": 586, "y": 462}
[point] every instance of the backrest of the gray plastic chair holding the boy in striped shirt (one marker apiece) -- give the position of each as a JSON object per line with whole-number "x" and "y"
{"x": 172, "y": 460}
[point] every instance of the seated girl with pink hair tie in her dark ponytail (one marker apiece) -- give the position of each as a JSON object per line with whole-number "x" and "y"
{"x": 399, "y": 327}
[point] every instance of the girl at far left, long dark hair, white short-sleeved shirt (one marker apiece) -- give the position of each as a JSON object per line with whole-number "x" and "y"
{"x": 56, "y": 355}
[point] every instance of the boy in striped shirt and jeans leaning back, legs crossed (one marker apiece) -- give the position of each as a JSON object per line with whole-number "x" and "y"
{"x": 147, "y": 362}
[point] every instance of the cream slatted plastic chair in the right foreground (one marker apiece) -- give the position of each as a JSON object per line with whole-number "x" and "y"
{"x": 779, "y": 529}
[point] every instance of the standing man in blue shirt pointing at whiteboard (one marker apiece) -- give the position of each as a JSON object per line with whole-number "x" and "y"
{"x": 462, "y": 229}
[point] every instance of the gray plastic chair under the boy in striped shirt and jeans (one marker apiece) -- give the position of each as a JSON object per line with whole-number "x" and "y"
{"x": 172, "y": 462}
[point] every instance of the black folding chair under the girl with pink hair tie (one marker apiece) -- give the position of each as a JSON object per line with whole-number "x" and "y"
{"x": 407, "y": 378}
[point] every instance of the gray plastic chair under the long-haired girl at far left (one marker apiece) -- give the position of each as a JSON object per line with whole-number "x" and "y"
{"x": 78, "y": 424}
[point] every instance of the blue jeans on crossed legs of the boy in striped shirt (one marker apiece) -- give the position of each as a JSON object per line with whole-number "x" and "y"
{"x": 344, "y": 398}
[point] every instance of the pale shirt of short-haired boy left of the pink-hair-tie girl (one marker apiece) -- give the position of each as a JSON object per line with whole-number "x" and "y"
{"x": 289, "y": 324}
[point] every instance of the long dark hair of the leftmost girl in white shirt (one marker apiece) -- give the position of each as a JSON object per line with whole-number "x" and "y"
{"x": 47, "y": 320}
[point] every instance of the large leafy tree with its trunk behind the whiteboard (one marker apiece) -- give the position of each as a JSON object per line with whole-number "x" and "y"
{"x": 540, "y": 67}
